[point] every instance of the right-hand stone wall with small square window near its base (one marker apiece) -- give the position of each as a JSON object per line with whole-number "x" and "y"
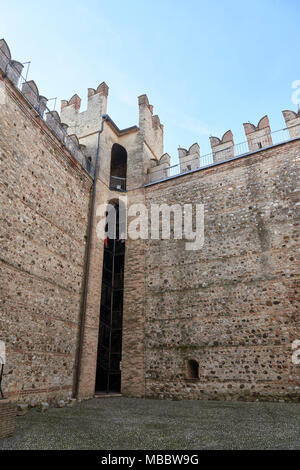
{"x": 232, "y": 305}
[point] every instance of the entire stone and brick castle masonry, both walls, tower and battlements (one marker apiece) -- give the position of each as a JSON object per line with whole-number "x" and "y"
{"x": 231, "y": 308}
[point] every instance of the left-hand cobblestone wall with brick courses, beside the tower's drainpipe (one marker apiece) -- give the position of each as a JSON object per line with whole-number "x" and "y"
{"x": 44, "y": 211}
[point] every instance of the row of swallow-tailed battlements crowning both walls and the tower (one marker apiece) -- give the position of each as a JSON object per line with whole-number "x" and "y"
{"x": 73, "y": 125}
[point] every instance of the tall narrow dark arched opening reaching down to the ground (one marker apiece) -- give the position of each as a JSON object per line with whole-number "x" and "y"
{"x": 108, "y": 376}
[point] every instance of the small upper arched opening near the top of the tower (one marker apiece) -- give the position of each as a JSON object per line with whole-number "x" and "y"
{"x": 118, "y": 168}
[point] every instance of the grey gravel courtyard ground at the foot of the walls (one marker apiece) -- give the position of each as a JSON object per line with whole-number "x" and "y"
{"x": 125, "y": 423}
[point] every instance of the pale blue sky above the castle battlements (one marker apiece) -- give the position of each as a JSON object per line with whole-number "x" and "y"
{"x": 206, "y": 66}
